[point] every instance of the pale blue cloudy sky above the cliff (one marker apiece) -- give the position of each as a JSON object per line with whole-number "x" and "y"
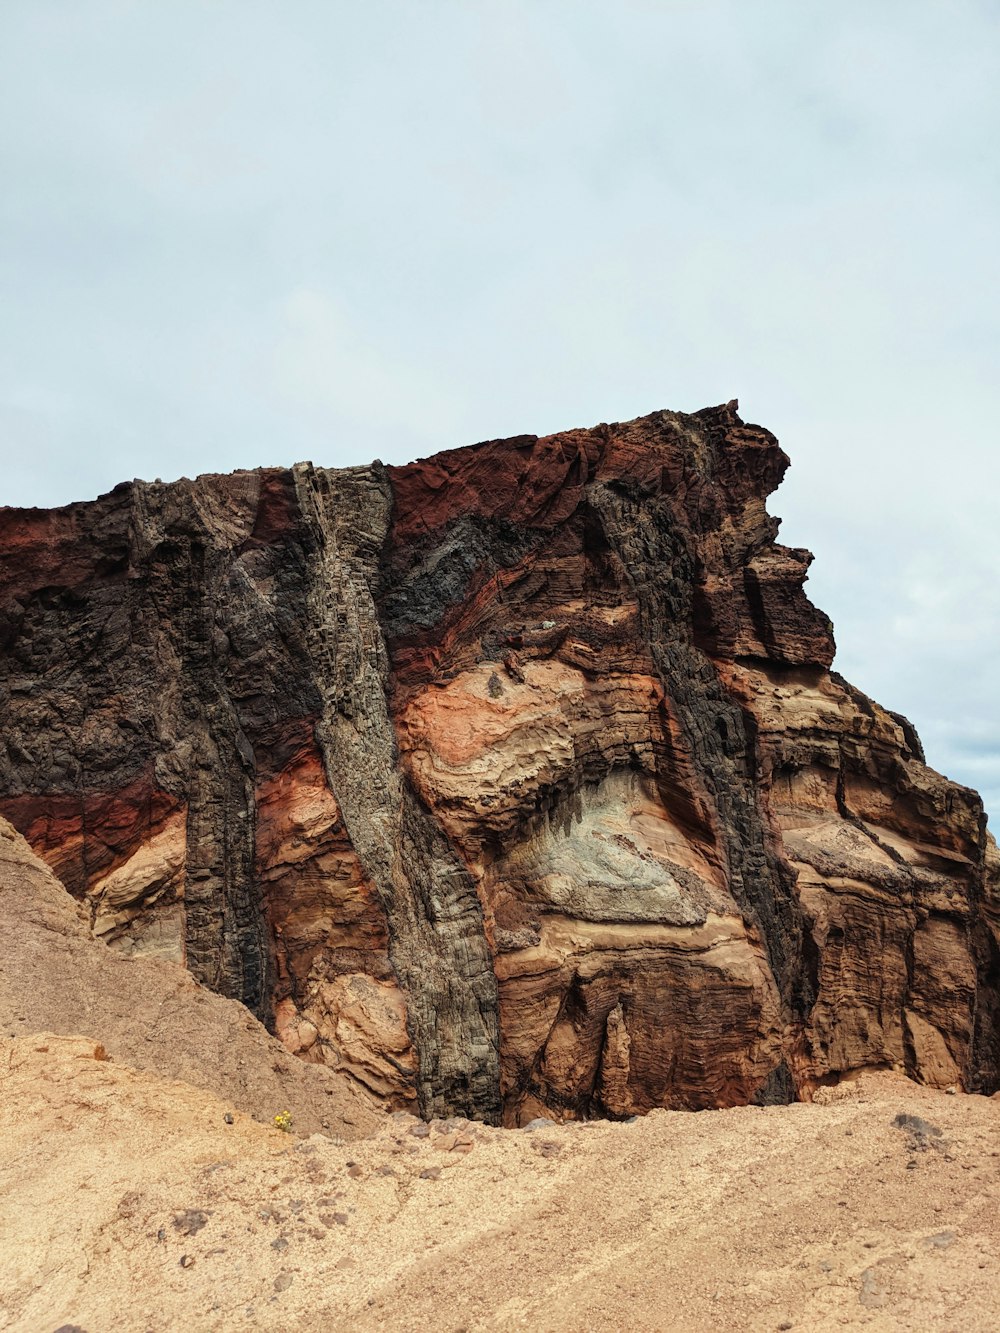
{"x": 238, "y": 234}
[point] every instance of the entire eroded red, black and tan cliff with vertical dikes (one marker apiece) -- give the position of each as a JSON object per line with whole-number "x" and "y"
{"x": 513, "y": 782}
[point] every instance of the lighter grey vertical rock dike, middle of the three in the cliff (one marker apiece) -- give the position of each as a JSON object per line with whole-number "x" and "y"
{"x": 437, "y": 935}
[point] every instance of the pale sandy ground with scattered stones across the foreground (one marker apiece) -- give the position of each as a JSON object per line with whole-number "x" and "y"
{"x": 127, "y": 1202}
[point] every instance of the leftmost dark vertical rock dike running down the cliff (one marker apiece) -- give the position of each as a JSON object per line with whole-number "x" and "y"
{"x": 182, "y": 551}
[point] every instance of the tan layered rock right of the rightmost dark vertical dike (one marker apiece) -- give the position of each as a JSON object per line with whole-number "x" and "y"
{"x": 889, "y": 860}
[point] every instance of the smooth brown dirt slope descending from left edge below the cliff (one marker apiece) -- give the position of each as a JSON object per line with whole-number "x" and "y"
{"x": 150, "y": 1014}
